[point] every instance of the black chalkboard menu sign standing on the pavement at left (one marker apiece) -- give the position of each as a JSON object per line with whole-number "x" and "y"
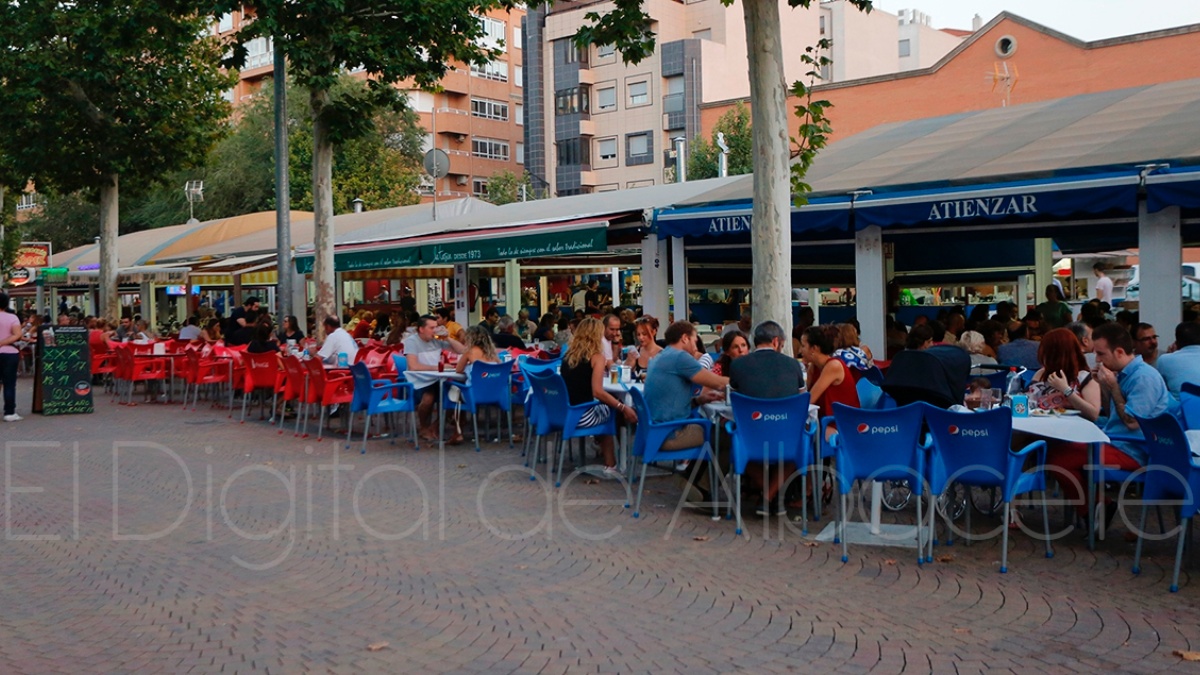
{"x": 63, "y": 384}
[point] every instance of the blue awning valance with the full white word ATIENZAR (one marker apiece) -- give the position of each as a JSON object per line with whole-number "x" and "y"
{"x": 1004, "y": 202}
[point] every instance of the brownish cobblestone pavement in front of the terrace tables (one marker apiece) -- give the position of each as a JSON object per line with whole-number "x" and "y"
{"x": 160, "y": 540}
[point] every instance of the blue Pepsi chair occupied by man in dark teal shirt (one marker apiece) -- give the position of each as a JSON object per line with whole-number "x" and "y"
{"x": 770, "y": 432}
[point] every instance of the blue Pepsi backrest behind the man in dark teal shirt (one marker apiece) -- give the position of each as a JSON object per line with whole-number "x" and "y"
{"x": 771, "y": 429}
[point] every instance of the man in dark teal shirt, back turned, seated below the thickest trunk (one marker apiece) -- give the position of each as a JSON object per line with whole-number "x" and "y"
{"x": 767, "y": 374}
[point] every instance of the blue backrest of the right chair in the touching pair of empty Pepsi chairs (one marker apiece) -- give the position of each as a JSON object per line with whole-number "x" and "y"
{"x": 973, "y": 447}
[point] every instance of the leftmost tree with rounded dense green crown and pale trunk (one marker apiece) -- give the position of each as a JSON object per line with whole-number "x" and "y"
{"x": 101, "y": 93}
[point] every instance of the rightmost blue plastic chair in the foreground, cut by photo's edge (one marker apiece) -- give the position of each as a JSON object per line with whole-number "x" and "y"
{"x": 1172, "y": 476}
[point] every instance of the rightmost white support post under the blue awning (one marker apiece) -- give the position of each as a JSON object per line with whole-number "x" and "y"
{"x": 1161, "y": 250}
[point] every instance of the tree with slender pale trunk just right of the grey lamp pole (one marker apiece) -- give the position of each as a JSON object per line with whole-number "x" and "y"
{"x": 392, "y": 41}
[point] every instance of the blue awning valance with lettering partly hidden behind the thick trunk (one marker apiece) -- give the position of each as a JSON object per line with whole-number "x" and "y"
{"x": 821, "y": 214}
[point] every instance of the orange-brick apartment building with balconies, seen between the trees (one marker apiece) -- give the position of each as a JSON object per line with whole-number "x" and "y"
{"x": 477, "y": 118}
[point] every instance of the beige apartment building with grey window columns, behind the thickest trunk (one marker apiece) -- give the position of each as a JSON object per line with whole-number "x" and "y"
{"x": 597, "y": 124}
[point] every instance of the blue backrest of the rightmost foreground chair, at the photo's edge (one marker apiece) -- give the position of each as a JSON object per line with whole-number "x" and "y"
{"x": 1171, "y": 474}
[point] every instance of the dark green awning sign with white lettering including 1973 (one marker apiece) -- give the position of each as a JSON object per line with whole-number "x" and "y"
{"x": 517, "y": 248}
